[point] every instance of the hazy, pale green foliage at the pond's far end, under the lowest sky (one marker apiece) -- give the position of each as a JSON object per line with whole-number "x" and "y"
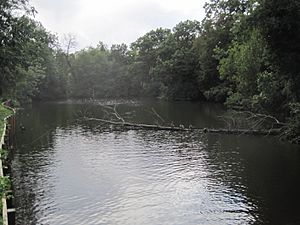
{"x": 101, "y": 73}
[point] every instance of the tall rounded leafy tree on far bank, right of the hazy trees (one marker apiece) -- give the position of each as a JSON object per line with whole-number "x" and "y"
{"x": 177, "y": 73}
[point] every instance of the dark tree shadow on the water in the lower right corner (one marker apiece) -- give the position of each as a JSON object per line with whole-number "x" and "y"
{"x": 265, "y": 170}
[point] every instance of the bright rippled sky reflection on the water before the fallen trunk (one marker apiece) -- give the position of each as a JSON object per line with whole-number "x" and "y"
{"x": 132, "y": 177}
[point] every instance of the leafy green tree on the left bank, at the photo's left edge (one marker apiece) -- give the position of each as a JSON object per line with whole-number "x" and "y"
{"x": 23, "y": 47}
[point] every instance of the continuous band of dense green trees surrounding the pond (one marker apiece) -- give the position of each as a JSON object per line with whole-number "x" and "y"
{"x": 245, "y": 54}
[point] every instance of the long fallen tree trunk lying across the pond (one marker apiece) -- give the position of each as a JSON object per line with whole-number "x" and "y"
{"x": 182, "y": 128}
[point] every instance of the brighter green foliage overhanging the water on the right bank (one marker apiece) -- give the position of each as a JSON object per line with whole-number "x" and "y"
{"x": 258, "y": 81}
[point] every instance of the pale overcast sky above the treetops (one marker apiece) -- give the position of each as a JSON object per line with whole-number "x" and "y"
{"x": 113, "y": 21}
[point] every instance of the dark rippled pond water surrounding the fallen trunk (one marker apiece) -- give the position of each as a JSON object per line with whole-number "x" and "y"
{"x": 67, "y": 171}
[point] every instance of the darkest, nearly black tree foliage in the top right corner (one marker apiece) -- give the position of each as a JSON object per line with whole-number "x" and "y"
{"x": 279, "y": 22}
